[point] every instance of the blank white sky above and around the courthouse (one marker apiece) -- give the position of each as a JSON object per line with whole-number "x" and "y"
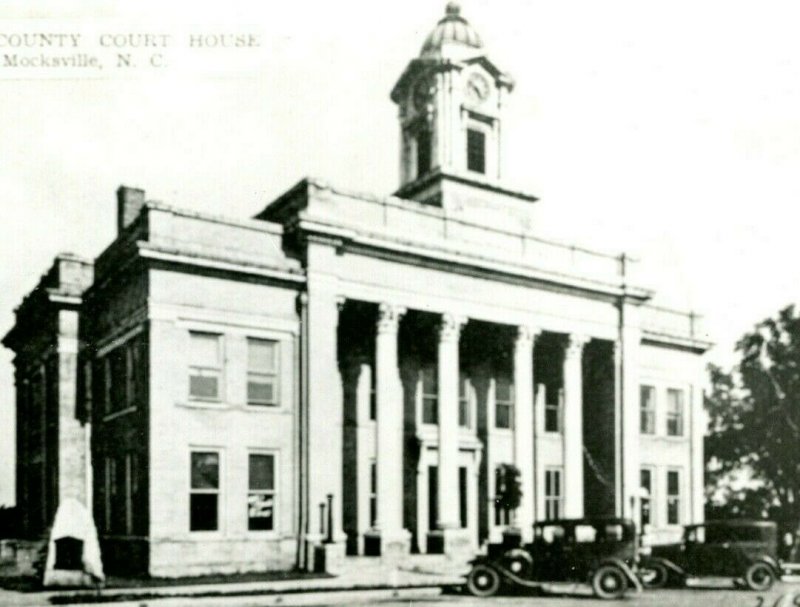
{"x": 670, "y": 130}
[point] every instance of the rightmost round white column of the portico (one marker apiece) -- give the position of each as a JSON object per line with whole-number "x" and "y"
{"x": 573, "y": 426}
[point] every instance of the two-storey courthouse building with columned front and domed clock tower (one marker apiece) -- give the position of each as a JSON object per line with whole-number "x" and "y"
{"x": 226, "y": 394}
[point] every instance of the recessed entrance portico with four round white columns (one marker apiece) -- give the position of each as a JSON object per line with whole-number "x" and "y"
{"x": 433, "y": 402}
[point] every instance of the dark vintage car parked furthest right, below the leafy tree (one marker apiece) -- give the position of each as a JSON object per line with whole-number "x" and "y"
{"x": 739, "y": 549}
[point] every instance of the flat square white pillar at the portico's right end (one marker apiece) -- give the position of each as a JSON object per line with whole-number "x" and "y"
{"x": 630, "y": 340}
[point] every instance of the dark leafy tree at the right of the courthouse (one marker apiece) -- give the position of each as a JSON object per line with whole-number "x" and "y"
{"x": 755, "y": 425}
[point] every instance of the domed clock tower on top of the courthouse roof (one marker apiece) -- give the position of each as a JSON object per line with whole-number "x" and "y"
{"x": 451, "y": 102}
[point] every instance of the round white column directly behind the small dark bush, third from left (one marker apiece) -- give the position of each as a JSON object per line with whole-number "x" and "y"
{"x": 523, "y": 426}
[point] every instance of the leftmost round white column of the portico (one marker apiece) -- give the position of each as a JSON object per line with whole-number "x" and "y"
{"x": 389, "y": 431}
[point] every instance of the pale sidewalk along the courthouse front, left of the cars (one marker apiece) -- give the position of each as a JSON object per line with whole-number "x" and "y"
{"x": 362, "y": 575}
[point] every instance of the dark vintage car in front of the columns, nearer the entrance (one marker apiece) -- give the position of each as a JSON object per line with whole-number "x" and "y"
{"x": 598, "y": 552}
